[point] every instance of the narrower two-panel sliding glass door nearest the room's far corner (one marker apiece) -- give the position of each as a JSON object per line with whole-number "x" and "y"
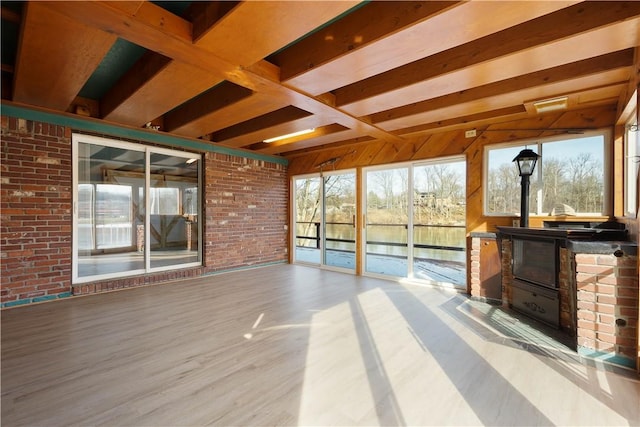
{"x": 325, "y": 218}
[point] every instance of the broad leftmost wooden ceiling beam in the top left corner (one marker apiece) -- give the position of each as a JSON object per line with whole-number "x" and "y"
{"x": 56, "y": 57}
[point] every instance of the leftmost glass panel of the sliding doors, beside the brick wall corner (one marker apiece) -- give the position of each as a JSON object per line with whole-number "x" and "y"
{"x": 308, "y": 216}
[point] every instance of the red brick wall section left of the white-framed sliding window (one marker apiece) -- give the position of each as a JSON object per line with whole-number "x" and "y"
{"x": 35, "y": 194}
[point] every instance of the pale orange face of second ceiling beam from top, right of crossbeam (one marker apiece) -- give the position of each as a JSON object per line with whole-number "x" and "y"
{"x": 456, "y": 25}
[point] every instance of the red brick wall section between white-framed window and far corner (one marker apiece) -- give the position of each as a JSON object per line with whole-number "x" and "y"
{"x": 245, "y": 212}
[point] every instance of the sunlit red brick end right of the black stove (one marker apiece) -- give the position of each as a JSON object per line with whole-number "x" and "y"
{"x": 607, "y": 303}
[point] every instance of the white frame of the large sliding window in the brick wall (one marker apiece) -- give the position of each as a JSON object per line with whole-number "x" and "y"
{"x": 147, "y": 151}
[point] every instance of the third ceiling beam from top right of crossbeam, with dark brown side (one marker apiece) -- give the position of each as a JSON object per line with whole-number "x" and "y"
{"x": 496, "y": 54}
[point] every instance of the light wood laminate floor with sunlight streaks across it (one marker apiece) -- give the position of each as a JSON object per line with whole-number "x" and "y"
{"x": 292, "y": 345}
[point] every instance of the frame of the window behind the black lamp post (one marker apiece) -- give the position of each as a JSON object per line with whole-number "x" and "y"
{"x": 538, "y": 144}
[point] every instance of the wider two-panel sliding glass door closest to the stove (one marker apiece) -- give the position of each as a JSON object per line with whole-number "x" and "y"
{"x": 415, "y": 221}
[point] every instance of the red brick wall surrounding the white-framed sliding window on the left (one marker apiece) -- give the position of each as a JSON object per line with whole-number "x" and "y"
{"x": 245, "y": 203}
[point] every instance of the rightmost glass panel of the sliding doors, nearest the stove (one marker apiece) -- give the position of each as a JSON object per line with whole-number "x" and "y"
{"x": 439, "y": 214}
